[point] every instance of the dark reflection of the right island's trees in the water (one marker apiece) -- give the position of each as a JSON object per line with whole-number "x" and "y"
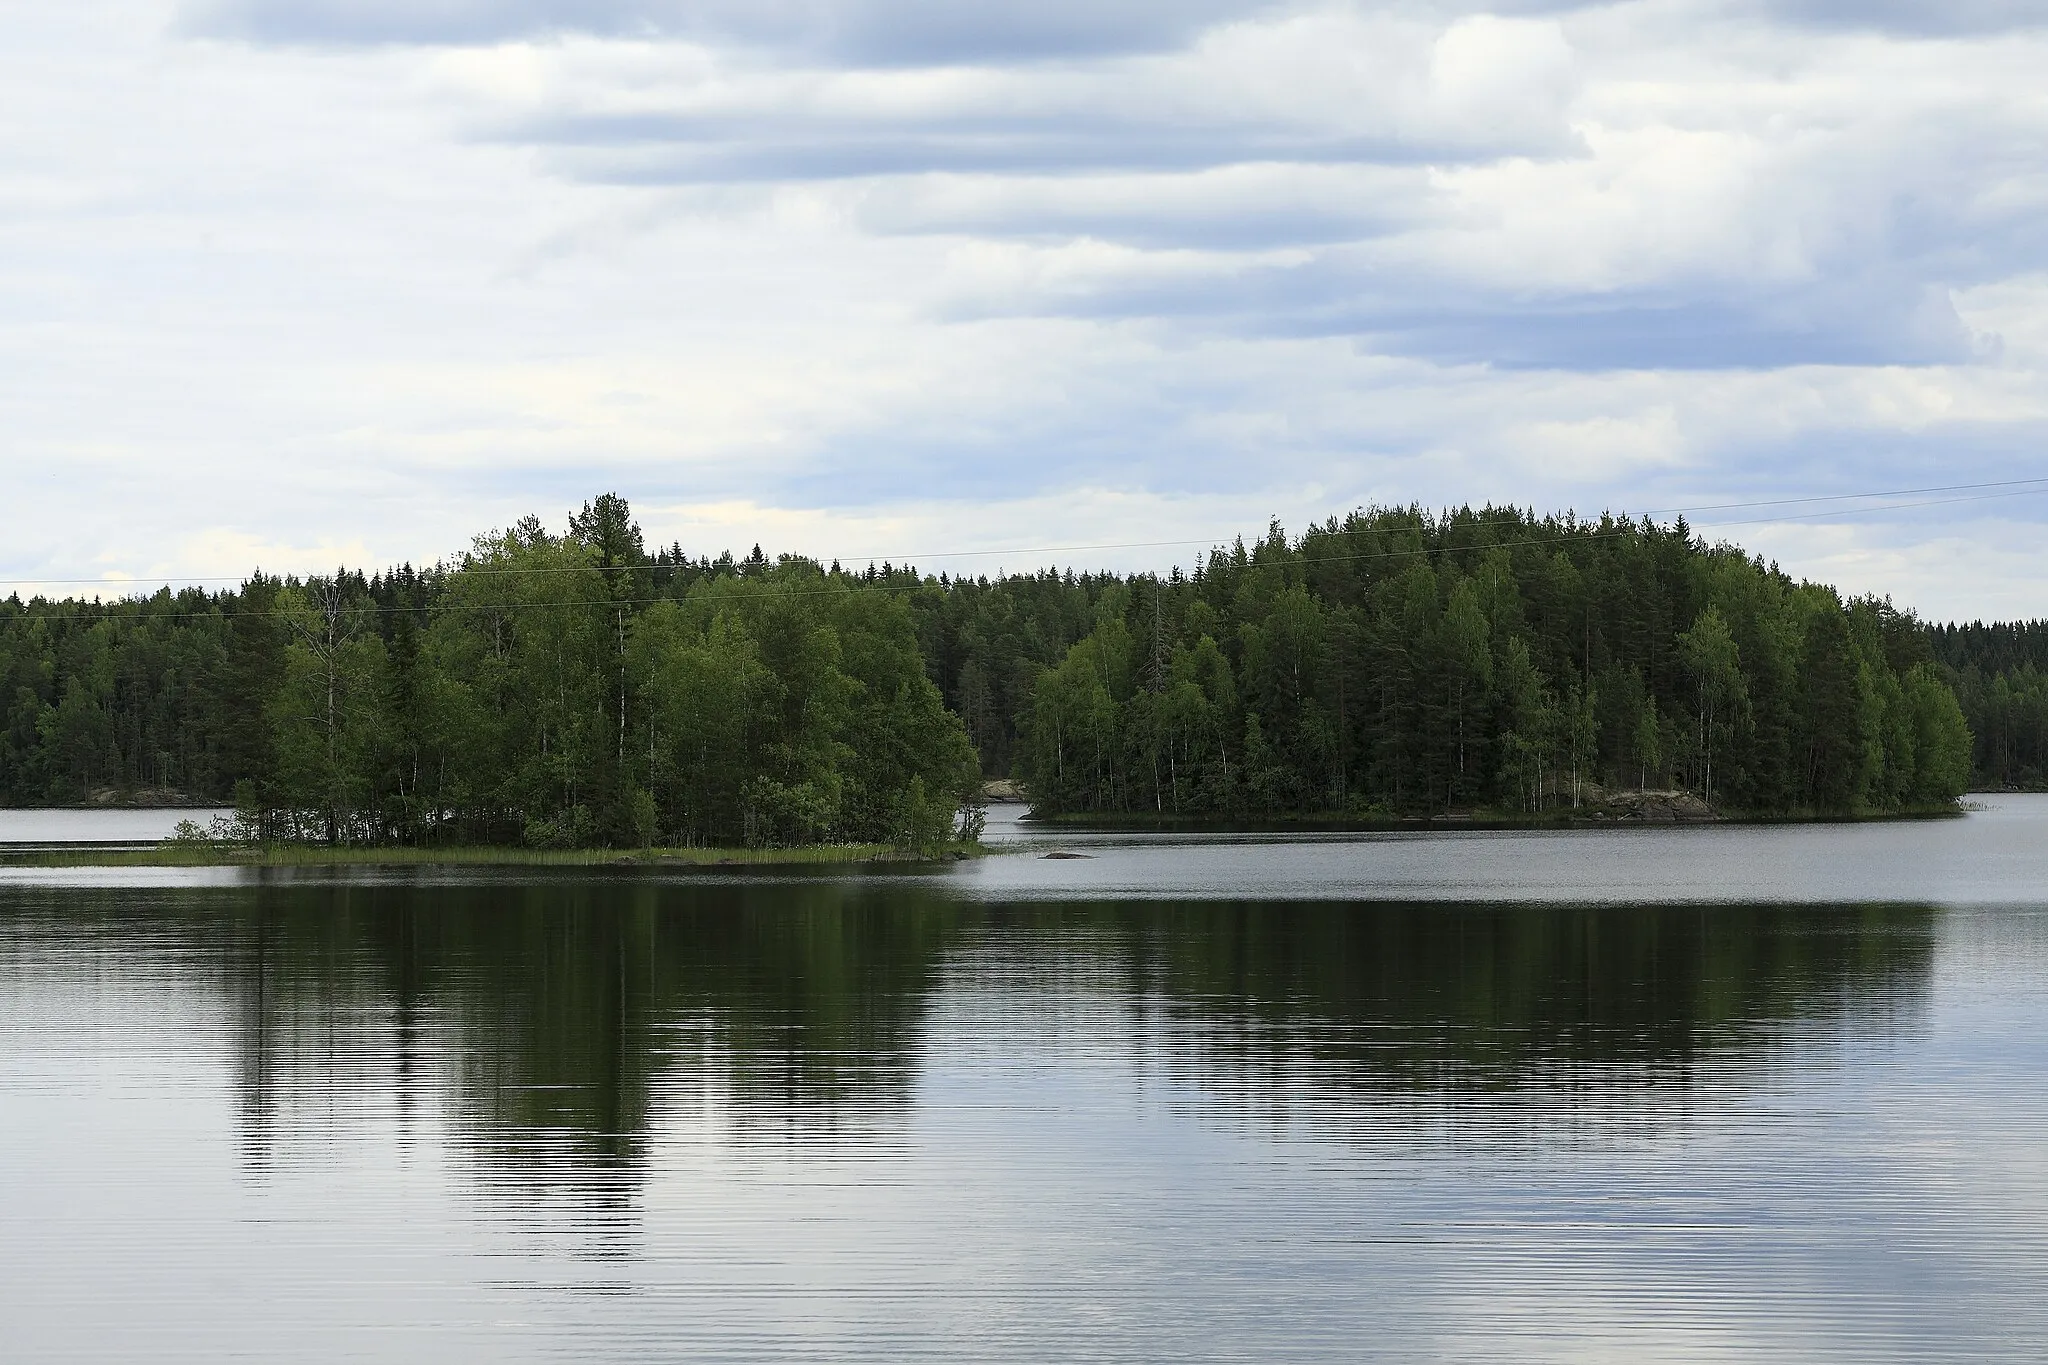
{"x": 1494, "y": 996}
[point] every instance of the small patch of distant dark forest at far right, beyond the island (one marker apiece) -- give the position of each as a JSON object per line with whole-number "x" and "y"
{"x": 2000, "y": 674}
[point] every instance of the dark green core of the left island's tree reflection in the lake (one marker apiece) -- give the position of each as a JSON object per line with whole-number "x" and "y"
{"x": 560, "y": 1010}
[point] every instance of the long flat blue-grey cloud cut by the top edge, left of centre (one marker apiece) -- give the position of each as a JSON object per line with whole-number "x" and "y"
{"x": 861, "y": 32}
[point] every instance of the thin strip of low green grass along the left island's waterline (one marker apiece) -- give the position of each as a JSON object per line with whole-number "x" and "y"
{"x": 175, "y": 854}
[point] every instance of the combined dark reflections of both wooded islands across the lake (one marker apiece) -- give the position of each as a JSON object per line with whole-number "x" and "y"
{"x": 556, "y": 1016}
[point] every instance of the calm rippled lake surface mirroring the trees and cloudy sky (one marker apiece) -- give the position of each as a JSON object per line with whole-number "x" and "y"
{"x": 1596, "y": 1096}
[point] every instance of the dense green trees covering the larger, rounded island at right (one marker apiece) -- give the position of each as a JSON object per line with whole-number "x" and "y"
{"x": 1406, "y": 664}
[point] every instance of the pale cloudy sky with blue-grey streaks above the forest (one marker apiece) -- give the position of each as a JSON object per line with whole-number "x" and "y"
{"x": 1101, "y": 283}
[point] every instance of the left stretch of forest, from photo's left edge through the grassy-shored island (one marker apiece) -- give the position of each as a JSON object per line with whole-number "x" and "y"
{"x": 562, "y": 691}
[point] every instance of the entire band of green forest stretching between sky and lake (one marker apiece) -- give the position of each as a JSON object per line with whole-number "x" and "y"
{"x": 581, "y": 691}
